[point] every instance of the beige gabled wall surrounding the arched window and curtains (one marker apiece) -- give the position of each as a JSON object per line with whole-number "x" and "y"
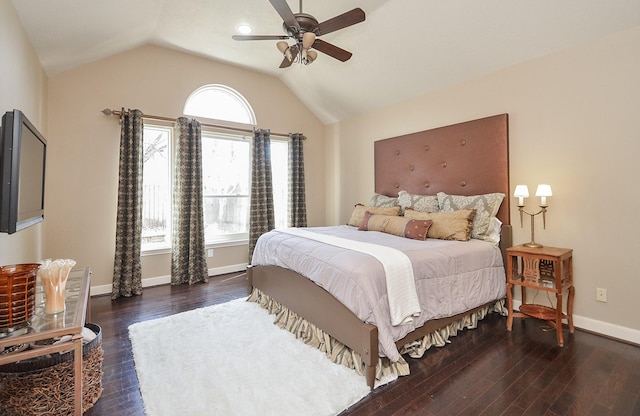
{"x": 84, "y": 162}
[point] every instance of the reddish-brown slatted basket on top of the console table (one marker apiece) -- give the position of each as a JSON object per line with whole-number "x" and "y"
{"x": 17, "y": 295}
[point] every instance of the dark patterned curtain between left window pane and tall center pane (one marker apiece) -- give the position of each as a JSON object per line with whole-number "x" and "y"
{"x": 188, "y": 258}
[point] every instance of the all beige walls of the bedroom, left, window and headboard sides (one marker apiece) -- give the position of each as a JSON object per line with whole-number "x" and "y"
{"x": 573, "y": 124}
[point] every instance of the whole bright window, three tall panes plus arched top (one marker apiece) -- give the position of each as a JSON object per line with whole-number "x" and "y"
{"x": 226, "y": 172}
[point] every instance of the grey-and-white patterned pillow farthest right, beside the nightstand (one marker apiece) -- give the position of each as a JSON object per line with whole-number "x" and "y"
{"x": 486, "y": 207}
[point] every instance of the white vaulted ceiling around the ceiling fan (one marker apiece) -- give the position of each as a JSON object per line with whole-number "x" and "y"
{"x": 404, "y": 48}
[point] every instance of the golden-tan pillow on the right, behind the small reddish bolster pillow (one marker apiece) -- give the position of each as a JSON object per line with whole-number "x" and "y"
{"x": 455, "y": 225}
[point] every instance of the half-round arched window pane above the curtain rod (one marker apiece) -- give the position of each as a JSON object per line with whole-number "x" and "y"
{"x": 219, "y": 102}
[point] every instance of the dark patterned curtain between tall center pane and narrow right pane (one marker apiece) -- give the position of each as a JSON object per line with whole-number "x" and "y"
{"x": 261, "y": 214}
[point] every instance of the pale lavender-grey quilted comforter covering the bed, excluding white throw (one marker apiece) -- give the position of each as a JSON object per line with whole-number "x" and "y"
{"x": 451, "y": 277}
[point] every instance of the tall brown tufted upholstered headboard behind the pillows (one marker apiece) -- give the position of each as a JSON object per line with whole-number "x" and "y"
{"x": 468, "y": 158}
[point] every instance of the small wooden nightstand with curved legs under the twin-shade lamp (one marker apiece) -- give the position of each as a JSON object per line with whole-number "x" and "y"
{"x": 548, "y": 269}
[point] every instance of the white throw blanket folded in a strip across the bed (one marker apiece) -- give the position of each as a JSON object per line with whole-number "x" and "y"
{"x": 401, "y": 285}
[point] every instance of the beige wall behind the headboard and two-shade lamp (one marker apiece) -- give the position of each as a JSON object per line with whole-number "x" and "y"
{"x": 573, "y": 123}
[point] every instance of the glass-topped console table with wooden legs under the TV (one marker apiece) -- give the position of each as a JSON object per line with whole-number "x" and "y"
{"x": 44, "y": 326}
